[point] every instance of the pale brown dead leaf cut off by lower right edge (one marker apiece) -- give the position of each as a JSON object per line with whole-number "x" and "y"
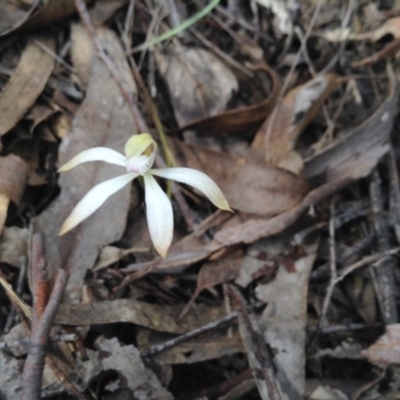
{"x": 386, "y": 350}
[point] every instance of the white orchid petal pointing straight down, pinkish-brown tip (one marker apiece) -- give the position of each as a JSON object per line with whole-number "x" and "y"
{"x": 160, "y": 218}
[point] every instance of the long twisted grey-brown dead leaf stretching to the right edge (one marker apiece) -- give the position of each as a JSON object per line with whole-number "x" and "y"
{"x": 351, "y": 158}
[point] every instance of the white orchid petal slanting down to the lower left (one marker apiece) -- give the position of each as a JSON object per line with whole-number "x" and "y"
{"x": 94, "y": 199}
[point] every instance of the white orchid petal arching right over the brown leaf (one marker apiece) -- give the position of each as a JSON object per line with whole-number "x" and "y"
{"x": 198, "y": 180}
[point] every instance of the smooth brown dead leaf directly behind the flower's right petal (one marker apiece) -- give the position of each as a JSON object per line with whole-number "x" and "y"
{"x": 248, "y": 187}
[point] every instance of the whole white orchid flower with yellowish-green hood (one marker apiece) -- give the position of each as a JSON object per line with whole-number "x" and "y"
{"x": 139, "y": 156}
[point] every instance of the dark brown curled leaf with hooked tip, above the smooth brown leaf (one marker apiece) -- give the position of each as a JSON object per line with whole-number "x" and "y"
{"x": 241, "y": 119}
